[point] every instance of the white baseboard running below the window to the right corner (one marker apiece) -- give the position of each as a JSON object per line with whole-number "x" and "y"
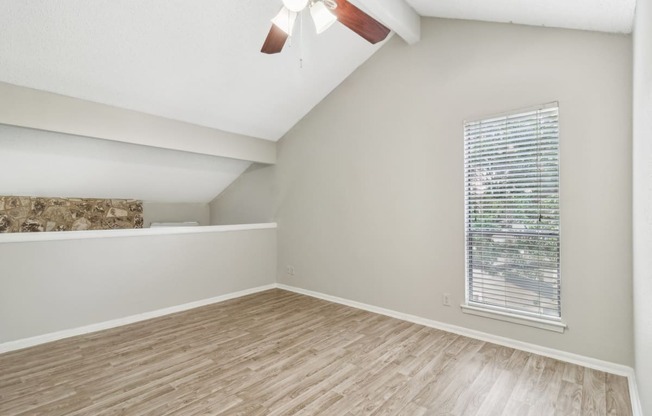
{"x": 606, "y": 366}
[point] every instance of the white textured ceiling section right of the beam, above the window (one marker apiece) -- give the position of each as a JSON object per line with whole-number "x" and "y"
{"x": 599, "y": 15}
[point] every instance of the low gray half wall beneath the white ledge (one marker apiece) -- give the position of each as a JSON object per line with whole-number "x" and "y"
{"x": 56, "y": 285}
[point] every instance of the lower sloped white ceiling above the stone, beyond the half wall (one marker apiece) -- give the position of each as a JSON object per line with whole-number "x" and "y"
{"x": 39, "y": 163}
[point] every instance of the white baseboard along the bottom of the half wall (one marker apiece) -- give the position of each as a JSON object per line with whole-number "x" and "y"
{"x": 67, "y": 333}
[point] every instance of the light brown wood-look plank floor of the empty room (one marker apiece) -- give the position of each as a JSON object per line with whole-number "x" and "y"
{"x": 280, "y": 353}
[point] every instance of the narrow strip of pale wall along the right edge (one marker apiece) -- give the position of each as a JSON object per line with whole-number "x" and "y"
{"x": 643, "y": 200}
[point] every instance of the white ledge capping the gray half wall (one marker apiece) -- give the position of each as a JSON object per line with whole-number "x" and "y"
{"x": 139, "y": 232}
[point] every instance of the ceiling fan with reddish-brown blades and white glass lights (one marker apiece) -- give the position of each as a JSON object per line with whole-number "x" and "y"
{"x": 324, "y": 13}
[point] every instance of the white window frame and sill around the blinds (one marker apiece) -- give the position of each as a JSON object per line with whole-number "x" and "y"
{"x": 538, "y": 320}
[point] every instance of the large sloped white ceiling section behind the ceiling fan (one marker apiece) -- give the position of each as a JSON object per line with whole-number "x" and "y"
{"x": 197, "y": 61}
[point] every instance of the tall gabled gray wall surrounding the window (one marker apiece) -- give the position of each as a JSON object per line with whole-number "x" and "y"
{"x": 368, "y": 187}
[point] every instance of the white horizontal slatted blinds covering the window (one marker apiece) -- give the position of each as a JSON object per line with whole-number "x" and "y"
{"x": 512, "y": 213}
